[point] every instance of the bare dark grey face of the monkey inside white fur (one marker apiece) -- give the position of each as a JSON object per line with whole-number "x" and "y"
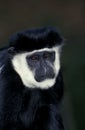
{"x": 41, "y": 63}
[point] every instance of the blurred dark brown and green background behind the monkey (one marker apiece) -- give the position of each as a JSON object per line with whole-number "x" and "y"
{"x": 69, "y": 17}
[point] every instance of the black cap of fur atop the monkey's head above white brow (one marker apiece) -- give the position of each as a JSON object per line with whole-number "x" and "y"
{"x": 37, "y": 38}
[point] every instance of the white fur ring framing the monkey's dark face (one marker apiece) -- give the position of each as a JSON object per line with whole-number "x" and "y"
{"x": 21, "y": 67}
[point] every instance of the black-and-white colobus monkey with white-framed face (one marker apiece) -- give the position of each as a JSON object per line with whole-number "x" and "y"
{"x": 31, "y": 83}
